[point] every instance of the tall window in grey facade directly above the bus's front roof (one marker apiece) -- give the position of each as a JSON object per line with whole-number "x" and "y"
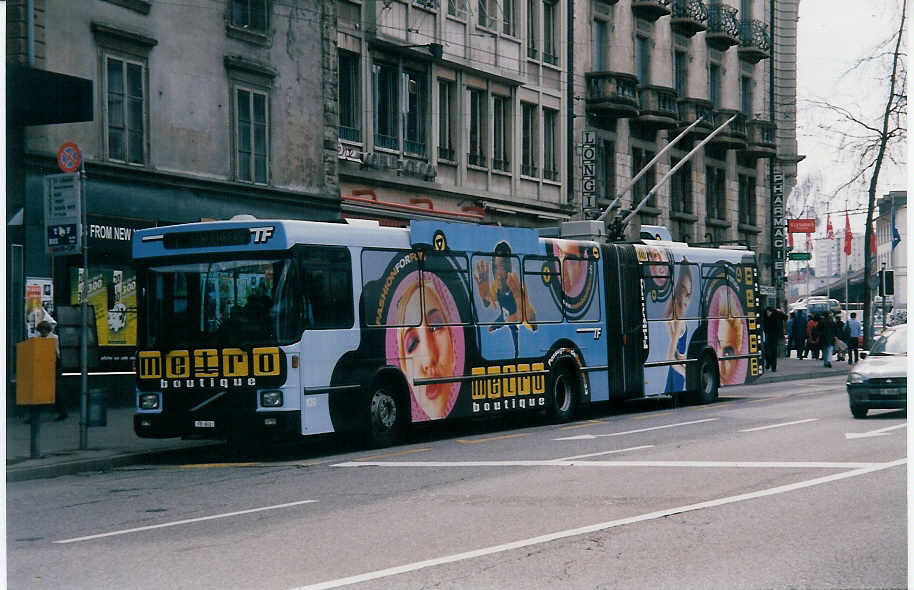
{"x": 251, "y": 135}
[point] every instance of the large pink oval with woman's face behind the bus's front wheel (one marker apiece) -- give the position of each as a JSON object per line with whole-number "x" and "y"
{"x": 432, "y": 349}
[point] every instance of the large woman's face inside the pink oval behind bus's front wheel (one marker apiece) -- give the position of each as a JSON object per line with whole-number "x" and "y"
{"x": 428, "y": 351}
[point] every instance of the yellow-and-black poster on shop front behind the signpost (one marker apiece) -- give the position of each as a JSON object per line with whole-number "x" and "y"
{"x": 112, "y": 293}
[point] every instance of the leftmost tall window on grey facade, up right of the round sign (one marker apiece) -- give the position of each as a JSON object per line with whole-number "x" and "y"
{"x": 125, "y": 103}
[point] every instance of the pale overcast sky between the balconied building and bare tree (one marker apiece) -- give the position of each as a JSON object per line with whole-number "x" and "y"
{"x": 832, "y": 35}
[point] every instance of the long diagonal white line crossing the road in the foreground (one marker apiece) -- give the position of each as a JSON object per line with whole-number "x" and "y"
{"x": 419, "y": 565}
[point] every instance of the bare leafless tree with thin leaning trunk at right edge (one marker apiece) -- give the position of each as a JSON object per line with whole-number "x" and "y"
{"x": 874, "y": 141}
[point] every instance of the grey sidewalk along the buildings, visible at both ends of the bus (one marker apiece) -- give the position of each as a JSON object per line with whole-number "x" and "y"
{"x": 115, "y": 445}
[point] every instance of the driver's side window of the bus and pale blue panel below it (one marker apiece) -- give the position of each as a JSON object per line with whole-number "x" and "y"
{"x": 329, "y": 331}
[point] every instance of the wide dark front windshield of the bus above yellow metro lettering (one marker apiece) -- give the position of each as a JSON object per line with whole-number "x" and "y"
{"x": 226, "y": 302}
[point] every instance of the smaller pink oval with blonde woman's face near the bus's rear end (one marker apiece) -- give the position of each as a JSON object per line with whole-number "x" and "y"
{"x": 728, "y": 335}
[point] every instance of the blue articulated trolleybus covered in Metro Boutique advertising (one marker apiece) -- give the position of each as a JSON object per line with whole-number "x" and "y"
{"x": 252, "y": 327}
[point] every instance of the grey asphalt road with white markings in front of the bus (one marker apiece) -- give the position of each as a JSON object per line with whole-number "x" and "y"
{"x": 774, "y": 486}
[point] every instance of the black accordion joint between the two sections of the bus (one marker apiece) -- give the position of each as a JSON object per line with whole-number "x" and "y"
{"x": 625, "y": 321}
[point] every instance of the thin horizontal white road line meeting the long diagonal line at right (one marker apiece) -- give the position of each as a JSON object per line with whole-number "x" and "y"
{"x": 574, "y": 463}
